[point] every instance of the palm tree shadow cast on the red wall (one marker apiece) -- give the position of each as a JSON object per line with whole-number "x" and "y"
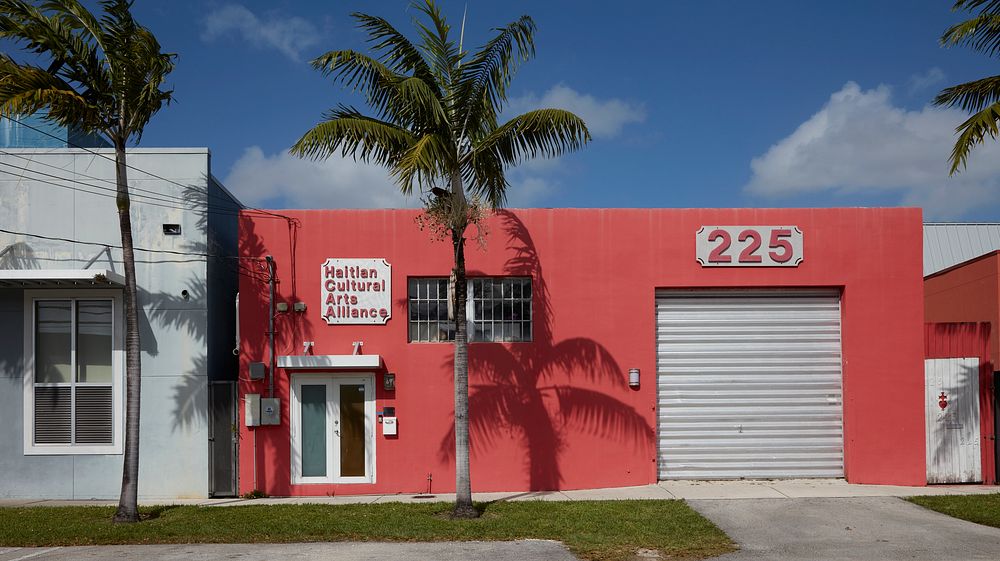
{"x": 533, "y": 392}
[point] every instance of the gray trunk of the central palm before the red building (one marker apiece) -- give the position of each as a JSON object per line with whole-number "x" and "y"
{"x": 463, "y": 477}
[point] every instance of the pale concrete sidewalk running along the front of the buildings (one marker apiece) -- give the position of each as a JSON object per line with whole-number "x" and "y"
{"x": 693, "y": 490}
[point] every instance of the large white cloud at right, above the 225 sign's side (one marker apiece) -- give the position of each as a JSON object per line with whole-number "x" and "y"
{"x": 859, "y": 142}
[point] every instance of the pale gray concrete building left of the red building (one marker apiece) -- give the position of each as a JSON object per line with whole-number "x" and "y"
{"x": 62, "y": 354}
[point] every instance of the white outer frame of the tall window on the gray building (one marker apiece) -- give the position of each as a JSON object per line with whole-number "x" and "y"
{"x": 117, "y": 371}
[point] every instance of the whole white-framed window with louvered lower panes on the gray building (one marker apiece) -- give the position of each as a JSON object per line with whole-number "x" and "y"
{"x": 74, "y": 370}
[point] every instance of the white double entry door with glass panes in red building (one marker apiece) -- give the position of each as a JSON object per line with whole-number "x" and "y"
{"x": 332, "y": 425}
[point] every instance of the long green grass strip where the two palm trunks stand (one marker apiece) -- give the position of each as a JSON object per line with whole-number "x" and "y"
{"x": 600, "y": 530}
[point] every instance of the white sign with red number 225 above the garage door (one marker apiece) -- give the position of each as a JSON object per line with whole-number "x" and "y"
{"x": 749, "y": 246}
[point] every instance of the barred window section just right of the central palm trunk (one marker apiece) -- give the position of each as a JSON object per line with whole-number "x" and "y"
{"x": 501, "y": 309}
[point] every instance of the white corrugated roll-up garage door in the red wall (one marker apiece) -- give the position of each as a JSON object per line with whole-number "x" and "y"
{"x": 749, "y": 384}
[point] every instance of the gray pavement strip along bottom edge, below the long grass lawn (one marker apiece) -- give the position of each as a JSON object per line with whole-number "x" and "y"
{"x": 525, "y": 550}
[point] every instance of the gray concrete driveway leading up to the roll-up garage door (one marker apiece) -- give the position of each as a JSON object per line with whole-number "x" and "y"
{"x": 884, "y": 528}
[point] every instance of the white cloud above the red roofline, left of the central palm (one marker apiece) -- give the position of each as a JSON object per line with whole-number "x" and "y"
{"x": 259, "y": 179}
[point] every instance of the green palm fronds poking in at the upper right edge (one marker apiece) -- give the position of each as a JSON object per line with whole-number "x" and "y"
{"x": 982, "y": 97}
